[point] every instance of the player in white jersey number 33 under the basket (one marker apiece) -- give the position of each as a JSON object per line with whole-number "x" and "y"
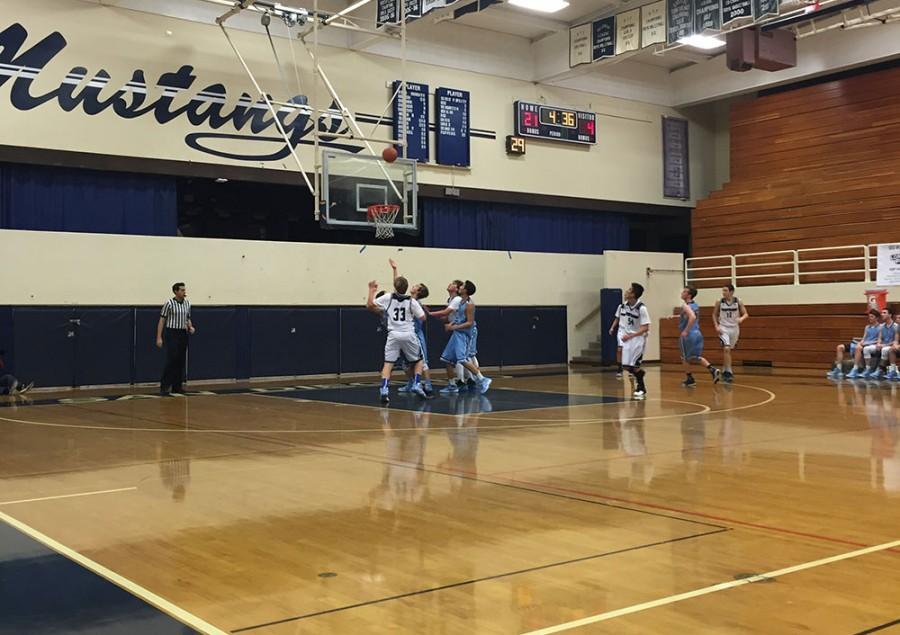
{"x": 400, "y": 310}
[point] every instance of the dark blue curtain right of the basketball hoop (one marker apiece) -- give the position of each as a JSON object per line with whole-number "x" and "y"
{"x": 459, "y": 224}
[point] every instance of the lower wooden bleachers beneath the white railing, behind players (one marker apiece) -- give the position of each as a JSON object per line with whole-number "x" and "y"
{"x": 783, "y": 336}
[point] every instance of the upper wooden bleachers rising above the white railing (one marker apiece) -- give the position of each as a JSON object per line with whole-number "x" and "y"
{"x": 814, "y": 167}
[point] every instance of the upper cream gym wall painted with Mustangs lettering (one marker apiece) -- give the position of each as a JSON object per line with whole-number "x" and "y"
{"x": 53, "y": 37}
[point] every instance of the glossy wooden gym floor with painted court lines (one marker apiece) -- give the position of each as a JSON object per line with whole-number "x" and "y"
{"x": 553, "y": 504}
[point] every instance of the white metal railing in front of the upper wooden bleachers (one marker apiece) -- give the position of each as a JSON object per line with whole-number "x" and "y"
{"x": 847, "y": 263}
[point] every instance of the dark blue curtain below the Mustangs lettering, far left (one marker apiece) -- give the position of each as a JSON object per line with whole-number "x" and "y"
{"x": 73, "y": 200}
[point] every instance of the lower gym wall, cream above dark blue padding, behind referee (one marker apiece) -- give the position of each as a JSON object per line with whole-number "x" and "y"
{"x": 267, "y": 309}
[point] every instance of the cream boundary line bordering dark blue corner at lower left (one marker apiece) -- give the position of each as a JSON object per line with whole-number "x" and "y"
{"x": 135, "y": 589}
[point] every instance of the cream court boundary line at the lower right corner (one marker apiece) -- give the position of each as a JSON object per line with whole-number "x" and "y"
{"x": 715, "y": 588}
